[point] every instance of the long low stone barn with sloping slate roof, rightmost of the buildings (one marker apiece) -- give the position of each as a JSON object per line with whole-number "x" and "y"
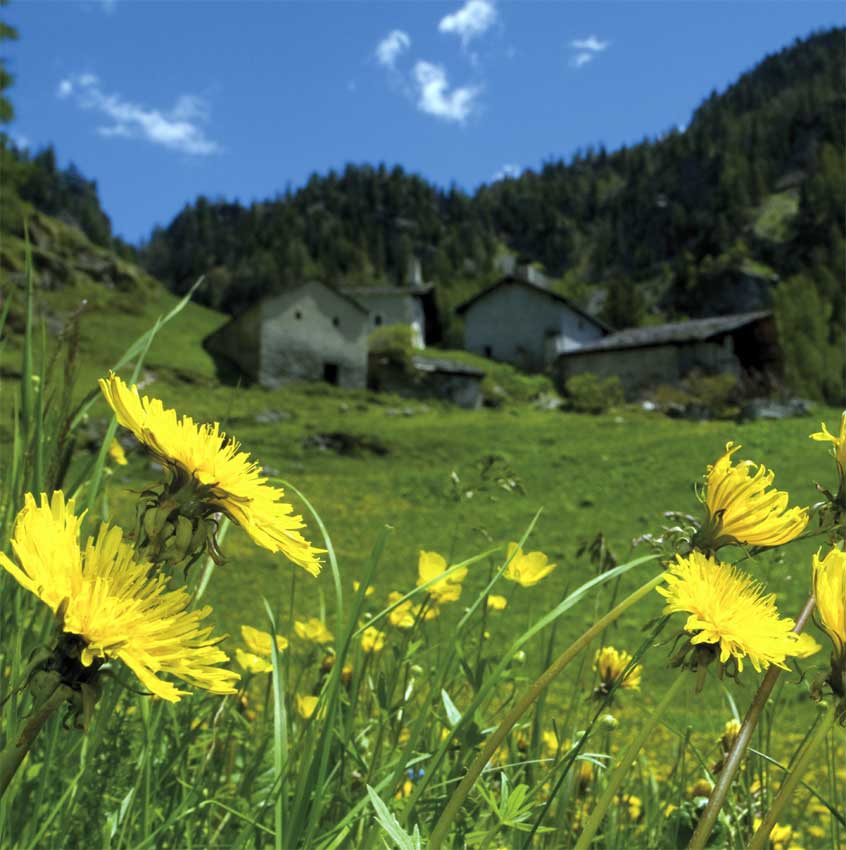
{"x": 745, "y": 343}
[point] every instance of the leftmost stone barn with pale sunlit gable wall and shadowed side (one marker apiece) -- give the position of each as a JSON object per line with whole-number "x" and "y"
{"x": 310, "y": 332}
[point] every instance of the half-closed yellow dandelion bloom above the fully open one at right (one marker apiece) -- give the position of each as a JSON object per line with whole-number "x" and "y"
{"x": 742, "y": 511}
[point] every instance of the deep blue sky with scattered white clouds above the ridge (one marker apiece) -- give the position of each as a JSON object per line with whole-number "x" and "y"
{"x": 162, "y": 101}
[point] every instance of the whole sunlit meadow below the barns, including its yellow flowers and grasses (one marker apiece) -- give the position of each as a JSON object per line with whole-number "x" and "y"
{"x": 454, "y": 645}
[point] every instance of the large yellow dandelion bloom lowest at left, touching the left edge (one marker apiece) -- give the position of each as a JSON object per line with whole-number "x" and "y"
{"x": 109, "y": 606}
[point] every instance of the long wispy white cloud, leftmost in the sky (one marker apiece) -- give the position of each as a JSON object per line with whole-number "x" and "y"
{"x": 177, "y": 129}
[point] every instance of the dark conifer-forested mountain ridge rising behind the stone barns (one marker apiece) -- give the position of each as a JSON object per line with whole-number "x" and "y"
{"x": 701, "y": 220}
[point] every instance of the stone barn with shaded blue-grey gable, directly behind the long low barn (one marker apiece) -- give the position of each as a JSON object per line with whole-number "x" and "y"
{"x": 525, "y": 324}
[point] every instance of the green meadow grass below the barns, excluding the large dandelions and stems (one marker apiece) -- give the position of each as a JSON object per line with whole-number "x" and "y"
{"x": 405, "y": 476}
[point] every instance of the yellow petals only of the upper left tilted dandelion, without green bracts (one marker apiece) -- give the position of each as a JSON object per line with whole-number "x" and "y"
{"x": 227, "y": 479}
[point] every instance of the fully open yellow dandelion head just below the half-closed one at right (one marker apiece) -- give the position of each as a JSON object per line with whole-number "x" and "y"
{"x": 728, "y": 611}
